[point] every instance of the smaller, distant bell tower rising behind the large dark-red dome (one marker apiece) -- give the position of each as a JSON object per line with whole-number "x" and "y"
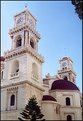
{"x": 66, "y": 69}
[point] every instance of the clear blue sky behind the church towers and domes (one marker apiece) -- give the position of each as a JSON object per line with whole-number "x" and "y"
{"x": 60, "y": 29}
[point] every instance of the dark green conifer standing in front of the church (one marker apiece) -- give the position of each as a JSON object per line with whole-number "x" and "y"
{"x": 32, "y": 111}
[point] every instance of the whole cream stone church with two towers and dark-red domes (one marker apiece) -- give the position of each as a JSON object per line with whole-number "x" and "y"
{"x": 21, "y": 77}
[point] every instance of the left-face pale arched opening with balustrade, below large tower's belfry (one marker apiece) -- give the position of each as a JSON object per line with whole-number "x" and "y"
{"x": 15, "y": 68}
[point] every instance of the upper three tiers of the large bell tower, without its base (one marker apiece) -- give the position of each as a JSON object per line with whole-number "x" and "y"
{"x": 23, "y": 59}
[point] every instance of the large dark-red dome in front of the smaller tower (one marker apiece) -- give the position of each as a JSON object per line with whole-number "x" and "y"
{"x": 63, "y": 85}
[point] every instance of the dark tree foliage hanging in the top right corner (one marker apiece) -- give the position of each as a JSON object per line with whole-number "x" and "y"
{"x": 78, "y": 4}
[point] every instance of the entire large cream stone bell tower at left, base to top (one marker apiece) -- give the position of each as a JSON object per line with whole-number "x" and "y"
{"x": 22, "y": 67}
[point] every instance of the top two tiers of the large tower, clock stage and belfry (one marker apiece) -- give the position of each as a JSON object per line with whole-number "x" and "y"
{"x": 24, "y": 32}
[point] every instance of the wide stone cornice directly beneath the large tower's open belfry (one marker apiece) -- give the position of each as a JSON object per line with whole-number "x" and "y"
{"x": 21, "y": 50}
